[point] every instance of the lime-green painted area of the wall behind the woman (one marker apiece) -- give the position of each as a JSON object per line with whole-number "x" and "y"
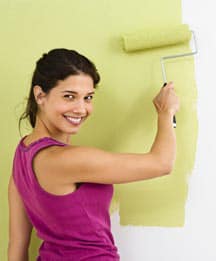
{"x": 124, "y": 118}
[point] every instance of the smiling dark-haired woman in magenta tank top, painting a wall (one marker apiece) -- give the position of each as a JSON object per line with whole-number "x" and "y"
{"x": 62, "y": 190}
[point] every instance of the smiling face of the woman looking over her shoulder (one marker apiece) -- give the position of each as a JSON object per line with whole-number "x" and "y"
{"x": 67, "y": 105}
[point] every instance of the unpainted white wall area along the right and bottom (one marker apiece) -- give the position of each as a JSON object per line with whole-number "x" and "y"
{"x": 197, "y": 239}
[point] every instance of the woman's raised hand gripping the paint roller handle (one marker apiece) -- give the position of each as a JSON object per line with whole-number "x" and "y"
{"x": 166, "y": 100}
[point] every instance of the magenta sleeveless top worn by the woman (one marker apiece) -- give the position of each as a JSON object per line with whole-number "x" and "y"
{"x": 73, "y": 227}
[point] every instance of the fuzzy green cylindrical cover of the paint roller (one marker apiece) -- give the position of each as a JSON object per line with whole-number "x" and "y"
{"x": 156, "y": 37}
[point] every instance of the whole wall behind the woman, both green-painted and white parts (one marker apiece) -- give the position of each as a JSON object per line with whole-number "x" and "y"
{"x": 32, "y": 29}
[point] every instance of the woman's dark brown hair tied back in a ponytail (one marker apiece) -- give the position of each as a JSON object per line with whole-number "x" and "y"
{"x": 53, "y": 66}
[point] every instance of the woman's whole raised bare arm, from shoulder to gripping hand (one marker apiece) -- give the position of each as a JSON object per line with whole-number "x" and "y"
{"x": 87, "y": 164}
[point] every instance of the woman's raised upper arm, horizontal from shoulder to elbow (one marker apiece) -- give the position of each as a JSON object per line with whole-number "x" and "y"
{"x": 89, "y": 164}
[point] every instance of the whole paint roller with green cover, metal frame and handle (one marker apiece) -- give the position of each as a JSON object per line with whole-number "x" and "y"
{"x": 150, "y": 38}
